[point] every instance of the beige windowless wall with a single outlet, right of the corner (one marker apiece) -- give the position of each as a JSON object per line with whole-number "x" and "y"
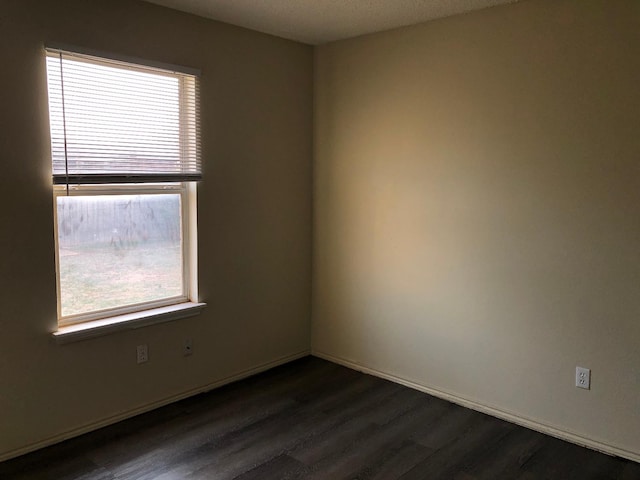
{"x": 477, "y": 210}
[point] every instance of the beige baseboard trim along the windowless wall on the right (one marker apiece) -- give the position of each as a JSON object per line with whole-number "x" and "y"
{"x": 541, "y": 427}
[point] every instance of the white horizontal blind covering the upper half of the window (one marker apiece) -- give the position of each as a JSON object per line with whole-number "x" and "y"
{"x": 119, "y": 122}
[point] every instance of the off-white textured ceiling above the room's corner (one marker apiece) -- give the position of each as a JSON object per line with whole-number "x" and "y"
{"x": 321, "y": 21}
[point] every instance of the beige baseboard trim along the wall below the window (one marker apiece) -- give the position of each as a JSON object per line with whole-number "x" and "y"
{"x": 89, "y": 427}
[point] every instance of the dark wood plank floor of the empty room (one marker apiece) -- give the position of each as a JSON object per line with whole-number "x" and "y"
{"x": 312, "y": 419}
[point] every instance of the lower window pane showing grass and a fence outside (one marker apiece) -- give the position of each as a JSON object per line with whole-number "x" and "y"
{"x": 118, "y": 250}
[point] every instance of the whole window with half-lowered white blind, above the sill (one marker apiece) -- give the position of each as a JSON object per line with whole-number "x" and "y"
{"x": 126, "y": 155}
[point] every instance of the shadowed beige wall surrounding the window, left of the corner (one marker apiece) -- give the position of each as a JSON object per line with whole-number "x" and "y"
{"x": 254, "y": 217}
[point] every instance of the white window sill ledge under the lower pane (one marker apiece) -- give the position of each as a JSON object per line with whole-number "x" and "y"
{"x": 106, "y": 326}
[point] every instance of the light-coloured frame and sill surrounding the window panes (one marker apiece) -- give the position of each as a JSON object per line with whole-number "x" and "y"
{"x": 98, "y": 322}
